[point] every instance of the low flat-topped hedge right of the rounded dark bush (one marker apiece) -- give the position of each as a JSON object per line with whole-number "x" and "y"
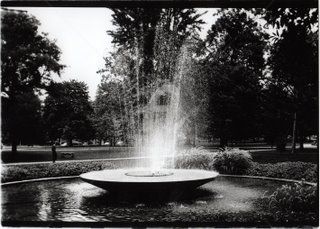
{"x": 288, "y": 170}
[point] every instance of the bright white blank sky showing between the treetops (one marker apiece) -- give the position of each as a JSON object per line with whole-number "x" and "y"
{"x": 81, "y": 35}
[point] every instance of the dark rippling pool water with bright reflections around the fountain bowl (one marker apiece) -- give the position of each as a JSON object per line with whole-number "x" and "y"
{"x": 72, "y": 200}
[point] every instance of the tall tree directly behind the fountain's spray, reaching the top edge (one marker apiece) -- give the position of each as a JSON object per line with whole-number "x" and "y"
{"x": 148, "y": 46}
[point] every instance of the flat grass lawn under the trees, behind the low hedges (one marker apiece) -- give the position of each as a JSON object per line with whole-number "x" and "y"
{"x": 37, "y": 154}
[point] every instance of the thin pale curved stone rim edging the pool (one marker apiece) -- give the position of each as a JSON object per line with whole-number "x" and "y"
{"x": 223, "y": 175}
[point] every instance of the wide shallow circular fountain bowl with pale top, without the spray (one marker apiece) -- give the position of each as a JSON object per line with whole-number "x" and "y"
{"x": 147, "y": 181}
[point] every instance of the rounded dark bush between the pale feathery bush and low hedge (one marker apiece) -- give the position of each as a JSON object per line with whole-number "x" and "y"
{"x": 232, "y": 161}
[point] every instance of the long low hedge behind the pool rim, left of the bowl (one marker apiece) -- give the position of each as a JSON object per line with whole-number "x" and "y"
{"x": 34, "y": 171}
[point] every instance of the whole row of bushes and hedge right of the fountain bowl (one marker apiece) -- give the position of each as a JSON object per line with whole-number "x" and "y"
{"x": 239, "y": 162}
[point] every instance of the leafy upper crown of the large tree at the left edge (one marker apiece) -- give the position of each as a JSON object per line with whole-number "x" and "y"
{"x": 28, "y": 57}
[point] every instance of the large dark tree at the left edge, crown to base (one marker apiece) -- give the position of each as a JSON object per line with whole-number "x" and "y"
{"x": 28, "y": 61}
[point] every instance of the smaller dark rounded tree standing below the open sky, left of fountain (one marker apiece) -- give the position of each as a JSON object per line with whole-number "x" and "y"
{"x": 67, "y": 112}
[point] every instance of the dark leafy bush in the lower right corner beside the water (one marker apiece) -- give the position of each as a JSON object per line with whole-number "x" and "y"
{"x": 293, "y": 203}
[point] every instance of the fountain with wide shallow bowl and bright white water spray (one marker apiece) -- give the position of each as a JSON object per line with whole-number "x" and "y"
{"x": 160, "y": 125}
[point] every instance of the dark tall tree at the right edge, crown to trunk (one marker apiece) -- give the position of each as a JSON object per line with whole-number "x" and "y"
{"x": 294, "y": 65}
